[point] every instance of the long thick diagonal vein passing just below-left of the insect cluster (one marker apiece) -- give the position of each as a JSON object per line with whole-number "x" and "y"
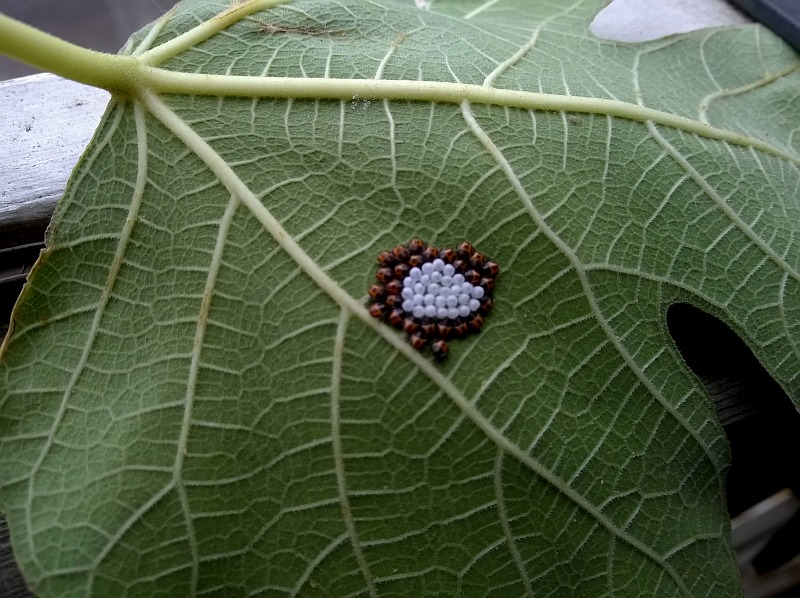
{"x": 237, "y": 187}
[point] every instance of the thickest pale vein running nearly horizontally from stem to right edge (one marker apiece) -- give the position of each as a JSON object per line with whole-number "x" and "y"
{"x": 160, "y": 81}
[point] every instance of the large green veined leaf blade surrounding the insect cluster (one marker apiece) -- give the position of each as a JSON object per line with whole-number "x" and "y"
{"x": 195, "y": 400}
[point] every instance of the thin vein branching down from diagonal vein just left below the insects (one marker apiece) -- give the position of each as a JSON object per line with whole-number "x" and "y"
{"x": 338, "y": 455}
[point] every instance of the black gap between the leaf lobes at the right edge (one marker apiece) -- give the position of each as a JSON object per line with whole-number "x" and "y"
{"x": 759, "y": 419}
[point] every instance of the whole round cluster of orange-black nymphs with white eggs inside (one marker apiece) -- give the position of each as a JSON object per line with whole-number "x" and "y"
{"x": 433, "y": 294}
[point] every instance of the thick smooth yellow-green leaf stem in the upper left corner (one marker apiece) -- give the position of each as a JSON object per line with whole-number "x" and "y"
{"x": 117, "y": 74}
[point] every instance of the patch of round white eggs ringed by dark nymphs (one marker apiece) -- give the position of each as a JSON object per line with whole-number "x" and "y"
{"x": 435, "y": 290}
